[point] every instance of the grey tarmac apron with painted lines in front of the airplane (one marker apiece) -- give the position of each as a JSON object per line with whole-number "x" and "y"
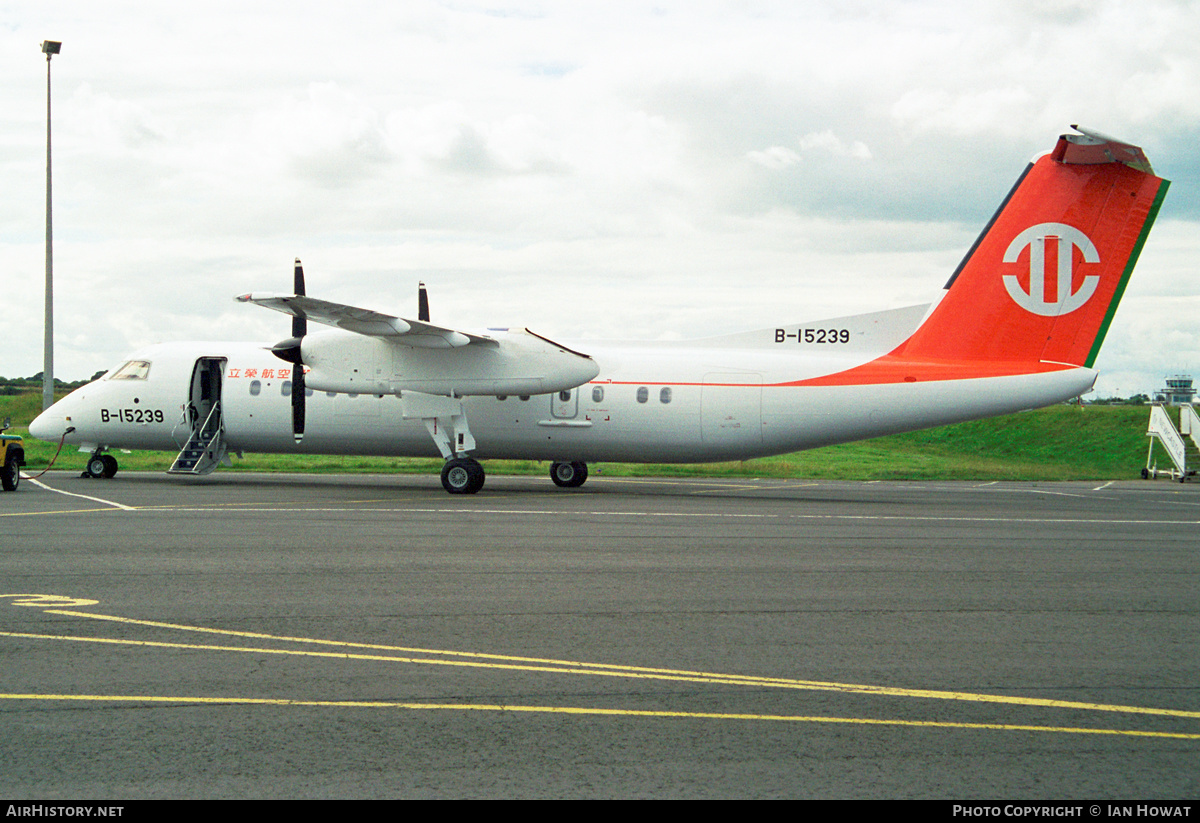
{"x": 369, "y": 636}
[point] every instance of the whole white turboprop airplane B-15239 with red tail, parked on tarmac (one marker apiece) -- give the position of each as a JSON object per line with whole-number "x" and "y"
{"x": 1018, "y": 327}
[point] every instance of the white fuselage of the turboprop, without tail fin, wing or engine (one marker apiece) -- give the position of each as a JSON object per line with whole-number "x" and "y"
{"x": 733, "y": 399}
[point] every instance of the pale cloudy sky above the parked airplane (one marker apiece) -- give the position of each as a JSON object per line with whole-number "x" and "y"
{"x": 587, "y": 170}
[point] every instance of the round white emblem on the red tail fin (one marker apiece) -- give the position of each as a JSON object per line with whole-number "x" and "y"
{"x": 1065, "y": 239}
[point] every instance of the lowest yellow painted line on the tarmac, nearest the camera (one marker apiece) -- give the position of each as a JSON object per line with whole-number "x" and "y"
{"x": 595, "y": 712}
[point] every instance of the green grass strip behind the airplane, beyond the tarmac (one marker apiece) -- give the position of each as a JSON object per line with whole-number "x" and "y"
{"x": 1059, "y": 443}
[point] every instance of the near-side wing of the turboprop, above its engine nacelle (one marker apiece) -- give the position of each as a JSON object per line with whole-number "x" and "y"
{"x": 417, "y": 334}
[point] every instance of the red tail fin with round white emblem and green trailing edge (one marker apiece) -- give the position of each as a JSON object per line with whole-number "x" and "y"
{"x": 1046, "y": 277}
